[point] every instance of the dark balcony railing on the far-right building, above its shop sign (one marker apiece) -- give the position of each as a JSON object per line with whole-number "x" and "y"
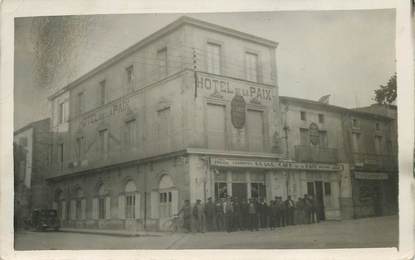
{"x": 385, "y": 161}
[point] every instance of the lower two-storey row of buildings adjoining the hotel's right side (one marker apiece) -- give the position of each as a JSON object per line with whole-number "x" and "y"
{"x": 363, "y": 141}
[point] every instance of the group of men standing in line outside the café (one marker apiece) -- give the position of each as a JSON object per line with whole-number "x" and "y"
{"x": 233, "y": 214}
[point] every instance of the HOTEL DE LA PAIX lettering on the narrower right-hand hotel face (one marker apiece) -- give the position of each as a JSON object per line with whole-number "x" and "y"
{"x": 231, "y": 87}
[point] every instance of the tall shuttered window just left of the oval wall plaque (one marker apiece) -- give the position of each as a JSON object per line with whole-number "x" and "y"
{"x": 216, "y": 127}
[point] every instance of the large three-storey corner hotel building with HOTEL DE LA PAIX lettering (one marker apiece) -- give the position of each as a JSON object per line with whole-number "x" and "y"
{"x": 190, "y": 112}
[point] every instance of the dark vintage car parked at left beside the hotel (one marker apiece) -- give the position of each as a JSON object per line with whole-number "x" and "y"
{"x": 43, "y": 219}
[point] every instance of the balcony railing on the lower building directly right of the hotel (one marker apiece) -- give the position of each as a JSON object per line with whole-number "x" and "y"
{"x": 307, "y": 153}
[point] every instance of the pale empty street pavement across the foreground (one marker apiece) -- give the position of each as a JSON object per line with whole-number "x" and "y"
{"x": 359, "y": 233}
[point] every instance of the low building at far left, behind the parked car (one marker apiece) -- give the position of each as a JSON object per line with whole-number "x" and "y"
{"x": 31, "y": 165}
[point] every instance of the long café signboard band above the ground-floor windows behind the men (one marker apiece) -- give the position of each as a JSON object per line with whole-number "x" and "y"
{"x": 238, "y": 163}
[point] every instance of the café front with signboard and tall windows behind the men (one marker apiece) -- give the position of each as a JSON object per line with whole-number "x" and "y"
{"x": 266, "y": 179}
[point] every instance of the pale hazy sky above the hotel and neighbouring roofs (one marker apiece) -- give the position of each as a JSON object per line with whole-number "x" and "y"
{"x": 346, "y": 54}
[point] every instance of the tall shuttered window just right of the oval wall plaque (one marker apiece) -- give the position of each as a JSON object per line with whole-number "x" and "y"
{"x": 255, "y": 130}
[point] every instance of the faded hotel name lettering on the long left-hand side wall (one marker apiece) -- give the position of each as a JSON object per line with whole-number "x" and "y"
{"x": 114, "y": 109}
